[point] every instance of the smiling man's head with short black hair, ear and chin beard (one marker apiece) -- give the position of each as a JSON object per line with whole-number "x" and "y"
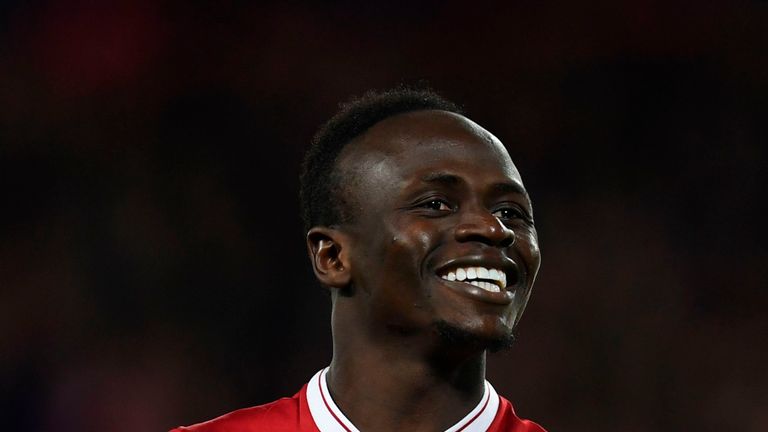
{"x": 418, "y": 223}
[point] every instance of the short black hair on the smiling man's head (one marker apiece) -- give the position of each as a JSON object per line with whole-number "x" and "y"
{"x": 320, "y": 182}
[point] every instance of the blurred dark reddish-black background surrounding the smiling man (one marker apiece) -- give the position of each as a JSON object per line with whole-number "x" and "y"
{"x": 152, "y": 265}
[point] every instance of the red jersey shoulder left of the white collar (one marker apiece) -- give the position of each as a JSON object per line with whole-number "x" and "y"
{"x": 284, "y": 414}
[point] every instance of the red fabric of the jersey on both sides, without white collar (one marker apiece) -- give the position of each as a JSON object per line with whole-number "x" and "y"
{"x": 292, "y": 415}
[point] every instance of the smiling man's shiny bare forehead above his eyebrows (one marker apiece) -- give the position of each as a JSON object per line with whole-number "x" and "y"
{"x": 424, "y": 142}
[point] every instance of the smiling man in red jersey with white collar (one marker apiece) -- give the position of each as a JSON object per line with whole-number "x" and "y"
{"x": 420, "y": 227}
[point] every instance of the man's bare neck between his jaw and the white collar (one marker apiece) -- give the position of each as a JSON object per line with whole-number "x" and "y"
{"x": 403, "y": 386}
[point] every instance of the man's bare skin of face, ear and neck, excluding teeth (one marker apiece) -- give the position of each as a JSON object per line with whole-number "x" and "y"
{"x": 430, "y": 192}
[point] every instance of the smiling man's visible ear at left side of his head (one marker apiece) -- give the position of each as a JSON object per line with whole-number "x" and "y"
{"x": 329, "y": 253}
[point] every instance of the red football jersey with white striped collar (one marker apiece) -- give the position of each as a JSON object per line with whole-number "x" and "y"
{"x": 312, "y": 410}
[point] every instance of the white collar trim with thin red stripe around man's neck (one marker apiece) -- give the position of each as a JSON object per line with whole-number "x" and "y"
{"x": 329, "y": 418}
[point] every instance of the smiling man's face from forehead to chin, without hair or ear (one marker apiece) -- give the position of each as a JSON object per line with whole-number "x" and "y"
{"x": 442, "y": 231}
